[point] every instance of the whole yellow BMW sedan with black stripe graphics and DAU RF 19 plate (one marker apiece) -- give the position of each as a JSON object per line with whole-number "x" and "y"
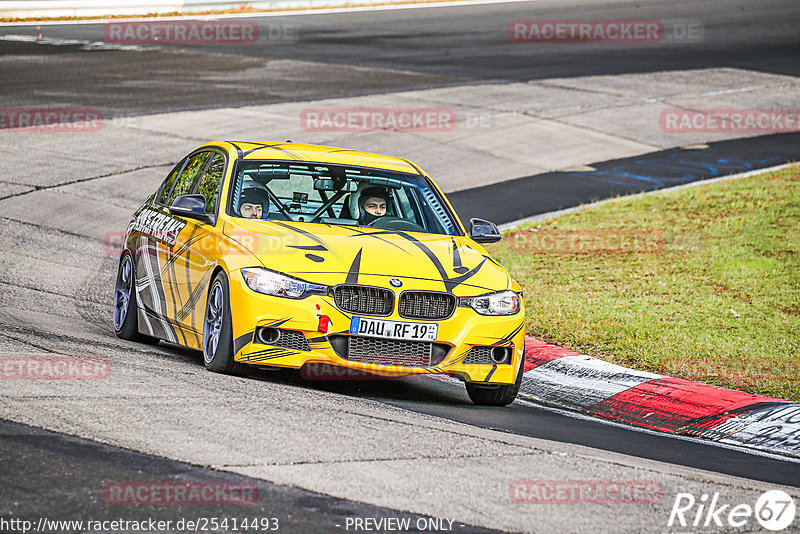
{"x": 290, "y": 255}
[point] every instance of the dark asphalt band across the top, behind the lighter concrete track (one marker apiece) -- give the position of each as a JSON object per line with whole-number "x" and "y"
{"x": 386, "y": 51}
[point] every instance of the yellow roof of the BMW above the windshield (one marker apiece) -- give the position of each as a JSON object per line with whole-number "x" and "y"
{"x": 255, "y": 150}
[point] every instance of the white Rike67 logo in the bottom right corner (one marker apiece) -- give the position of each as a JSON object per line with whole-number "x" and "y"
{"x": 774, "y": 510}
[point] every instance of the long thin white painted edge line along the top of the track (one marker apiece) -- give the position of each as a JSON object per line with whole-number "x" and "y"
{"x": 288, "y": 13}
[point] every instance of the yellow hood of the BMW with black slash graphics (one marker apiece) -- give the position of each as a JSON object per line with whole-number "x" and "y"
{"x": 333, "y": 254}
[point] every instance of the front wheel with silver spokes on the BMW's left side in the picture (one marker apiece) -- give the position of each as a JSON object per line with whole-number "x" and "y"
{"x": 218, "y": 330}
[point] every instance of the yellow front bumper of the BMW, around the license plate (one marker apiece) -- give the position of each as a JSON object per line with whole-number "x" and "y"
{"x": 457, "y": 335}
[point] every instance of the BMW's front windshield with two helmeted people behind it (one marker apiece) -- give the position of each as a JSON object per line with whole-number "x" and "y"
{"x": 333, "y": 194}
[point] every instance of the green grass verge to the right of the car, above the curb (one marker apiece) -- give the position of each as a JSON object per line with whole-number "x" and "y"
{"x": 701, "y": 283}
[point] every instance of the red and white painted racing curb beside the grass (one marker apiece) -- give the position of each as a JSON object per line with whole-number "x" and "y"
{"x": 567, "y": 379}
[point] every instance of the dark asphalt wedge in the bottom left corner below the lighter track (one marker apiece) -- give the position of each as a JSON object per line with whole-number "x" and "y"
{"x": 58, "y": 464}
